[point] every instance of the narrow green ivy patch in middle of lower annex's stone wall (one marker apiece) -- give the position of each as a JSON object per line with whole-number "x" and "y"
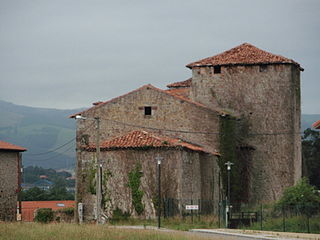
{"x": 134, "y": 184}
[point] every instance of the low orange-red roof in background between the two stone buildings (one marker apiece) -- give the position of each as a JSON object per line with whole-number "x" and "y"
{"x": 29, "y": 207}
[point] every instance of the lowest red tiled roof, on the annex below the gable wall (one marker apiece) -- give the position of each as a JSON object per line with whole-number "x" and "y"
{"x": 142, "y": 139}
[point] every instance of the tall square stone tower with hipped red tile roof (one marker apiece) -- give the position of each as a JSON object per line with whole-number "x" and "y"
{"x": 264, "y": 90}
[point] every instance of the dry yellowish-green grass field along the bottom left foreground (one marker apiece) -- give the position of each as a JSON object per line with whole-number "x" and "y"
{"x": 37, "y": 231}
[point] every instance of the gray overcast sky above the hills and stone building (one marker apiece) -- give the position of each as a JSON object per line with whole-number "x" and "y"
{"x": 70, "y": 53}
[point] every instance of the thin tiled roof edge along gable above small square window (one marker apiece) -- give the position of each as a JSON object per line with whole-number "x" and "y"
{"x": 148, "y": 86}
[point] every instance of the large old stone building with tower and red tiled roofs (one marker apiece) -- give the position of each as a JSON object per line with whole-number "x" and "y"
{"x": 242, "y": 104}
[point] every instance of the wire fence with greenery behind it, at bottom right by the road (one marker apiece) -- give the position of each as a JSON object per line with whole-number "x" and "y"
{"x": 292, "y": 218}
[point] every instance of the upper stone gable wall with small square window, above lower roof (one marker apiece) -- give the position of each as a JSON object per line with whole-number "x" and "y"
{"x": 171, "y": 116}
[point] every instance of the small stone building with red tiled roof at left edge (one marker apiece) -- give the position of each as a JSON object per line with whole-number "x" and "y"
{"x": 10, "y": 179}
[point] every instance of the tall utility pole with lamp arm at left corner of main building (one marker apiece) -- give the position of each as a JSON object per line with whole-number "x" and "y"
{"x": 99, "y": 166}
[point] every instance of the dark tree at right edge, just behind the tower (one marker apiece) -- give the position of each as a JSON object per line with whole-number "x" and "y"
{"x": 311, "y": 156}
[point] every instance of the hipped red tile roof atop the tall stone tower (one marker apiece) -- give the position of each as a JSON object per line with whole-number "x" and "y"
{"x": 244, "y": 54}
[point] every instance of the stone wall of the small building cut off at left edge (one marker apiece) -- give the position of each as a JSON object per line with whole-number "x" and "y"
{"x": 8, "y": 185}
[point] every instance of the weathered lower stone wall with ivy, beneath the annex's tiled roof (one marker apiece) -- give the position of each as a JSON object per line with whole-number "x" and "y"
{"x": 182, "y": 175}
